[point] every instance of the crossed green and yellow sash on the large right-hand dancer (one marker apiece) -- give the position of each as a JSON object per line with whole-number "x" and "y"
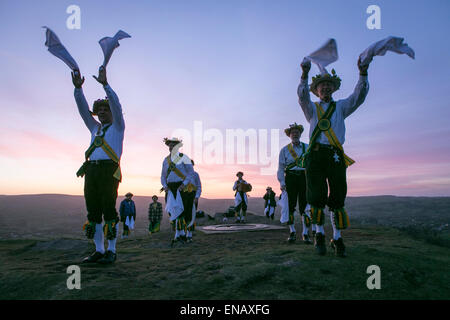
{"x": 324, "y": 125}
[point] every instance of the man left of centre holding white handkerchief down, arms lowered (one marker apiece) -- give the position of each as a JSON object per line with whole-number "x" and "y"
{"x": 177, "y": 176}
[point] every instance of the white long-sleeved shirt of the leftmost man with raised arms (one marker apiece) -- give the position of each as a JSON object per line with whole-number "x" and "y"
{"x": 115, "y": 134}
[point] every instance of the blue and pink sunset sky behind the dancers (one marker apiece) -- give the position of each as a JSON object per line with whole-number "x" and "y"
{"x": 223, "y": 65}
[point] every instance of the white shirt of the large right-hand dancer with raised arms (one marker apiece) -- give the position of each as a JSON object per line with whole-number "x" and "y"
{"x": 344, "y": 108}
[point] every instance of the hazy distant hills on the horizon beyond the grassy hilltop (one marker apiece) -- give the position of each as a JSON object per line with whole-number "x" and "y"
{"x": 24, "y": 216}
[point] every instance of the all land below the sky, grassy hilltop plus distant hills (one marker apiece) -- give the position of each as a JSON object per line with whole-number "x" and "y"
{"x": 408, "y": 238}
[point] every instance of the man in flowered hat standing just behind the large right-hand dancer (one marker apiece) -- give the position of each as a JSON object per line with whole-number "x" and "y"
{"x": 291, "y": 176}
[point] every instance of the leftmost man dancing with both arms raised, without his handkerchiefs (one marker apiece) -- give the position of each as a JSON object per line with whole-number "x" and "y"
{"x": 101, "y": 170}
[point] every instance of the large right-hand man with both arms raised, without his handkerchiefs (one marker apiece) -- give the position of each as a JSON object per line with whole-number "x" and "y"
{"x": 325, "y": 160}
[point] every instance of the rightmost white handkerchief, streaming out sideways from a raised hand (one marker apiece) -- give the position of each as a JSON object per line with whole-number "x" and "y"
{"x": 394, "y": 44}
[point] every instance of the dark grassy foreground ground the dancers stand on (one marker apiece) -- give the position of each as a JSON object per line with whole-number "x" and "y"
{"x": 247, "y": 265}
